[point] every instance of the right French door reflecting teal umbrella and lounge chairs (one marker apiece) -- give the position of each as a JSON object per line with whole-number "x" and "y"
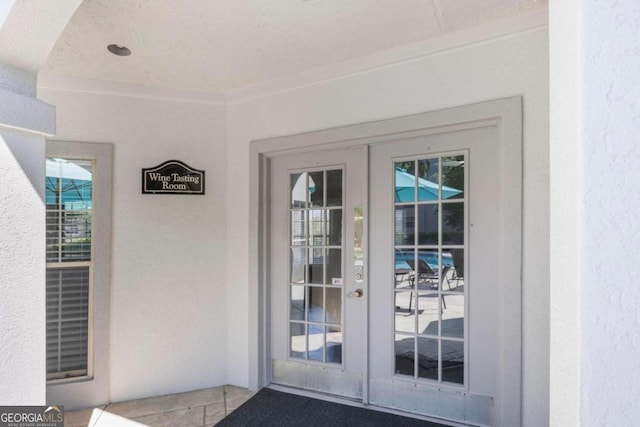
{"x": 434, "y": 254}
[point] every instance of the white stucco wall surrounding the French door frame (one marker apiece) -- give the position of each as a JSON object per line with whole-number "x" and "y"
{"x": 506, "y": 66}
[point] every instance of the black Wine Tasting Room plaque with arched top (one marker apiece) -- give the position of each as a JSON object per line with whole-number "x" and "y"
{"x": 172, "y": 177}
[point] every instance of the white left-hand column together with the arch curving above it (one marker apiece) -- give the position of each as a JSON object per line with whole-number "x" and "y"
{"x": 28, "y": 31}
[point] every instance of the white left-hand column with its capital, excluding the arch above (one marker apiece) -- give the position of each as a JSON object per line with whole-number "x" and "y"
{"x": 23, "y": 123}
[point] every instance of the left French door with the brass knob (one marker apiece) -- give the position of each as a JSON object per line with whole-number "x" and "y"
{"x": 317, "y": 274}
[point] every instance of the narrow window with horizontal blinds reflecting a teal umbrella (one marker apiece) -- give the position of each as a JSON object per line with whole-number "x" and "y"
{"x": 69, "y": 257}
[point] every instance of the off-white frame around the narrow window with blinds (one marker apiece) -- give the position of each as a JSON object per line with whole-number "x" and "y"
{"x": 92, "y": 388}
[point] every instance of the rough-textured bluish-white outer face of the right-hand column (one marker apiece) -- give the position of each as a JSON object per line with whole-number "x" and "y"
{"x": 611, "y": 268}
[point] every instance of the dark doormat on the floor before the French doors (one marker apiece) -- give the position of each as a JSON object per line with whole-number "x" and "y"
{"x": 274, "y": 408}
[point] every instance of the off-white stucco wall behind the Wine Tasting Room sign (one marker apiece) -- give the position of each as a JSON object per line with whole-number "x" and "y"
{"x": 168, "y": 292}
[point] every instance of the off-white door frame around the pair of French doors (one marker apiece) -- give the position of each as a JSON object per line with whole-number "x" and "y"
{"x": 506, "y": 114}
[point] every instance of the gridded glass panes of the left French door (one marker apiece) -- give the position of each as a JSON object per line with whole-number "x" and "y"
{"x": 316, "y": 266}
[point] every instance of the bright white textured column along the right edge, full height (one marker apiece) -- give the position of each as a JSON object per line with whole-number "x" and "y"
{"x": 595, "y": 213}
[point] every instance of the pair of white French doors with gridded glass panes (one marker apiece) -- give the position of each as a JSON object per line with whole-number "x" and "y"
{"x": 389, "y": 276}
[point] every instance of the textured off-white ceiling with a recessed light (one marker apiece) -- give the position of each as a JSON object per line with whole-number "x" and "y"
{"x": 222, "y": 45}
